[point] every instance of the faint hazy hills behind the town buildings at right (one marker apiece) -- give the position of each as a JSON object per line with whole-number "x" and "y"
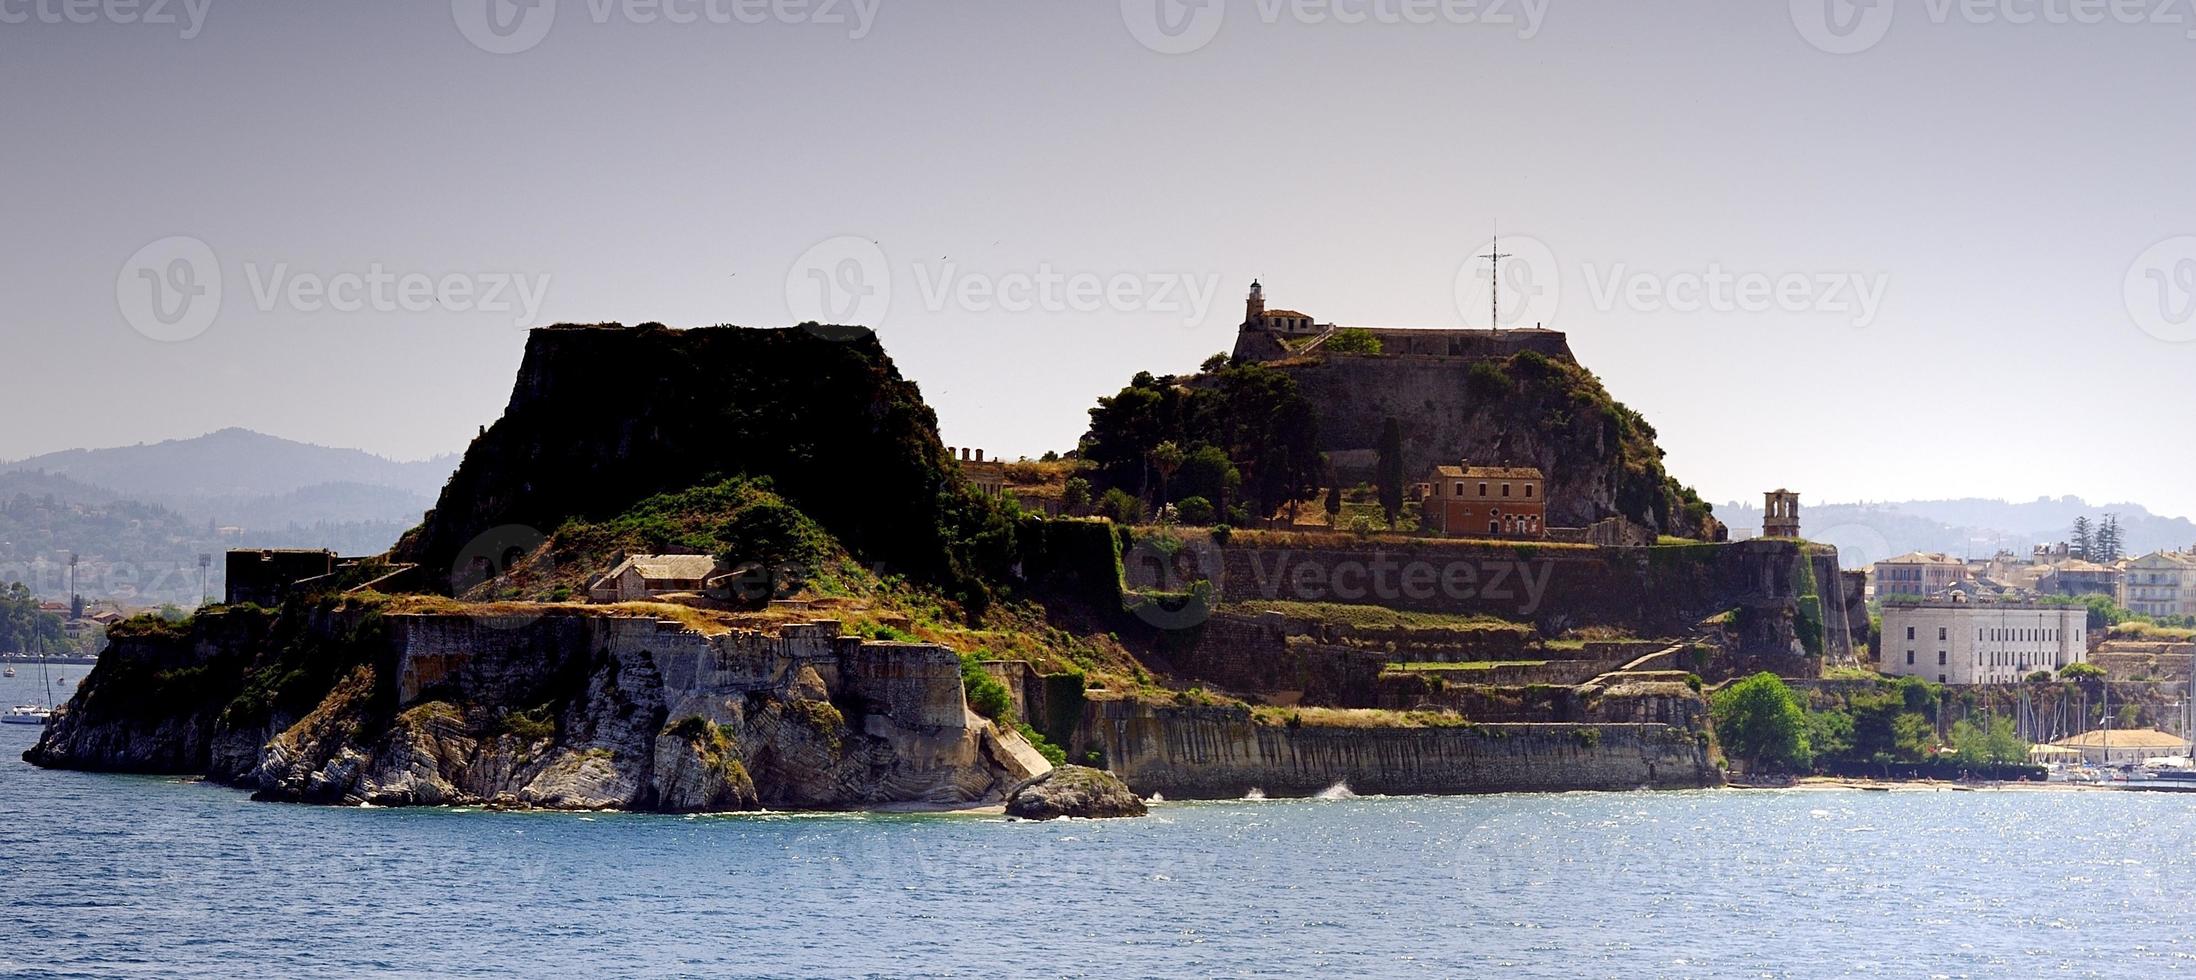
{"x": 1964, "y": 528}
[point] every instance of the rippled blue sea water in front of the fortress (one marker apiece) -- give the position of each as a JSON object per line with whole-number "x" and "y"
{"x": 126, "y": 876}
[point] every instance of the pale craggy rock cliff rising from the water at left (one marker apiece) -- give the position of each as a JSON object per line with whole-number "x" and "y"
{"x": 563, "y": 711}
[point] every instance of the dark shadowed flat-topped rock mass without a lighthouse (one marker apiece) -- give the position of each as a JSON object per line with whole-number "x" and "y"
{"x": 607, "y": 416}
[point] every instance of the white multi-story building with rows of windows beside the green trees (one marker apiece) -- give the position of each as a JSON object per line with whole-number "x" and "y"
{"x": 1982, "y": 643}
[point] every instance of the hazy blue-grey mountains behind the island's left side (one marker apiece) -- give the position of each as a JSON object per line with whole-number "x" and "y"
{"x": 142, "y": 515}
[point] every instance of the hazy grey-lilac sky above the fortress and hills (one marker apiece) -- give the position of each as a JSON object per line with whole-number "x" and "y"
{"x": 1949, "y": 263}
